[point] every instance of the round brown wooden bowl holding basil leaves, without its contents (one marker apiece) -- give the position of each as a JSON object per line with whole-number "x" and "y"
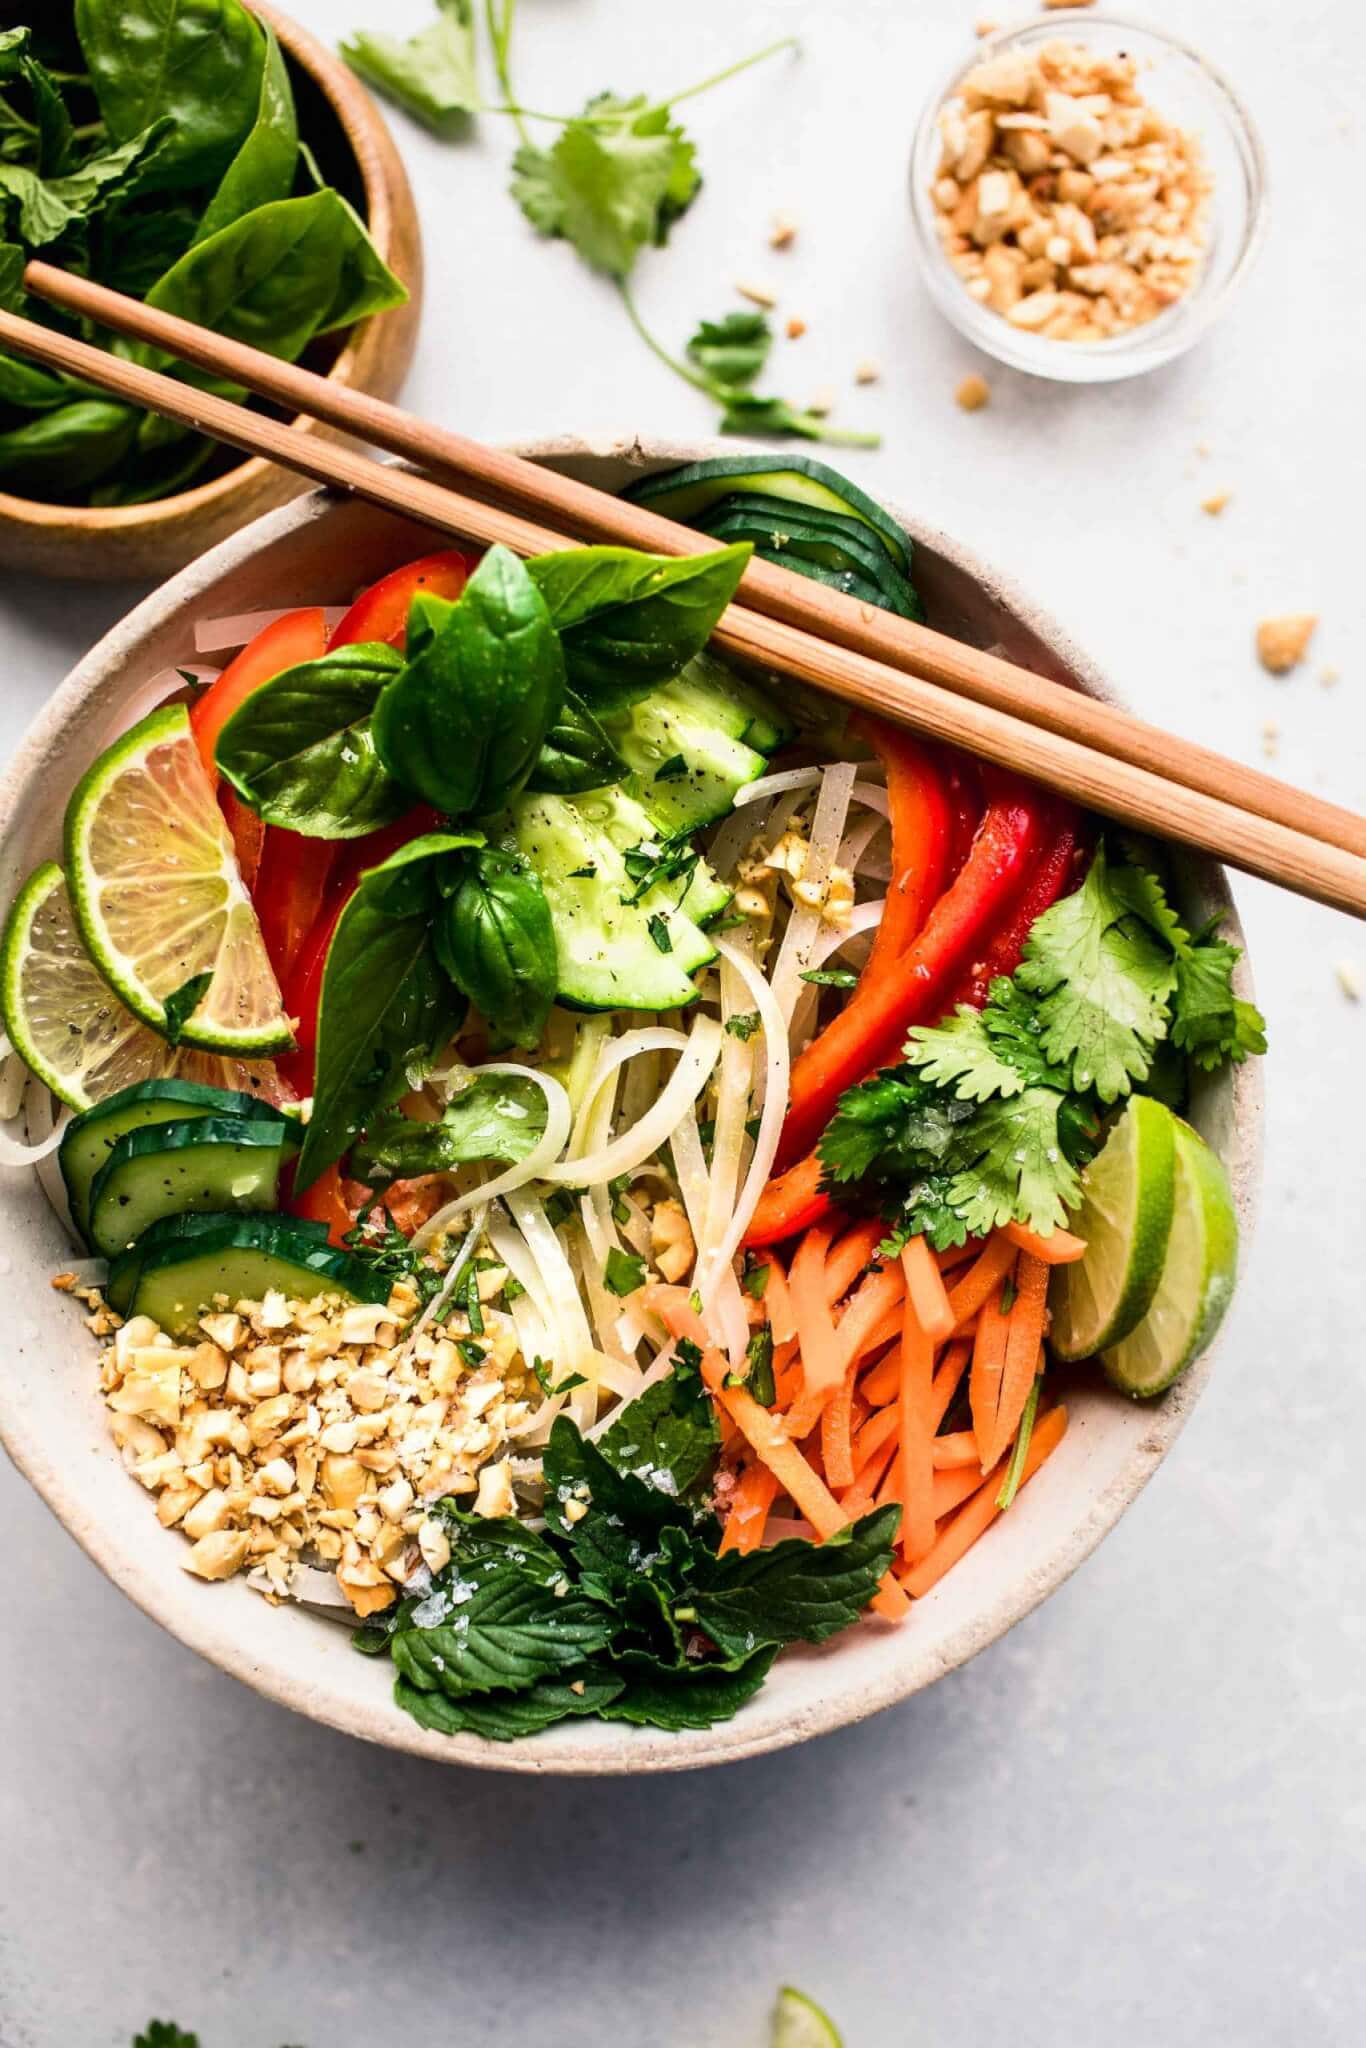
{"x": 157, "y": 540}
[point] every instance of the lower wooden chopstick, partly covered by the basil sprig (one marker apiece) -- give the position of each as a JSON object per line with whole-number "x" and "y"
{"x": 1119, "y": 790}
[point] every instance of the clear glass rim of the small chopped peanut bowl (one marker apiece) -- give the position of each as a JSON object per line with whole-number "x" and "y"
{"x": 1138, "y": 349}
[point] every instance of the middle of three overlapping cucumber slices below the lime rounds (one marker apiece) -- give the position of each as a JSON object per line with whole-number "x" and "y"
{"x": 169, "y": 1170}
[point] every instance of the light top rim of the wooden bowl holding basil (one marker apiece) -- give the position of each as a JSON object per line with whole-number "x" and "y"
{"x": 364, "y": 126}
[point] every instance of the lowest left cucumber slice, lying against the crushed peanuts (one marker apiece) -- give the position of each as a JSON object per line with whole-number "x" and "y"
{"x": 245, "y": 1258}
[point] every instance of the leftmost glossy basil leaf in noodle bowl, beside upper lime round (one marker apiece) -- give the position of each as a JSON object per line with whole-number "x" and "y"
{"x": 300, "y": 749}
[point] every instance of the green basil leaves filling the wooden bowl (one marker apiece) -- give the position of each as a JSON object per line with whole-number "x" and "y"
{"x": 163, "y": 159}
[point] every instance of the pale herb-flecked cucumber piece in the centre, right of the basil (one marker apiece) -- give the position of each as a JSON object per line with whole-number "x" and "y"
{"x": 609, "y": 953}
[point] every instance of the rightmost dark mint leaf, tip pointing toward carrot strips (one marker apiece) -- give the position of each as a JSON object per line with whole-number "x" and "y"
{"x": 796, "y": 1592}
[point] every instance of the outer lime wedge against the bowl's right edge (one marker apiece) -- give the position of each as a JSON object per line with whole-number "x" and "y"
{"x": 1197, "y": 1283}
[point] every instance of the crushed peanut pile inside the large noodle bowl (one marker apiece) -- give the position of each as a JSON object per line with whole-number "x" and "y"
{"x": 314, "y": 1433}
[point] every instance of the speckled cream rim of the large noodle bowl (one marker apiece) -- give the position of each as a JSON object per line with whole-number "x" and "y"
{"x": 757, "y": 1730}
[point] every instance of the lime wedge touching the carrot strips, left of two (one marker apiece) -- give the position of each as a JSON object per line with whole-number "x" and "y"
{"x": 1125, "y": 1220}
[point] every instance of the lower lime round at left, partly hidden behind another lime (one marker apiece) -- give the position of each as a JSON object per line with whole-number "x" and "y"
{"x": 71, "y": 1029}
